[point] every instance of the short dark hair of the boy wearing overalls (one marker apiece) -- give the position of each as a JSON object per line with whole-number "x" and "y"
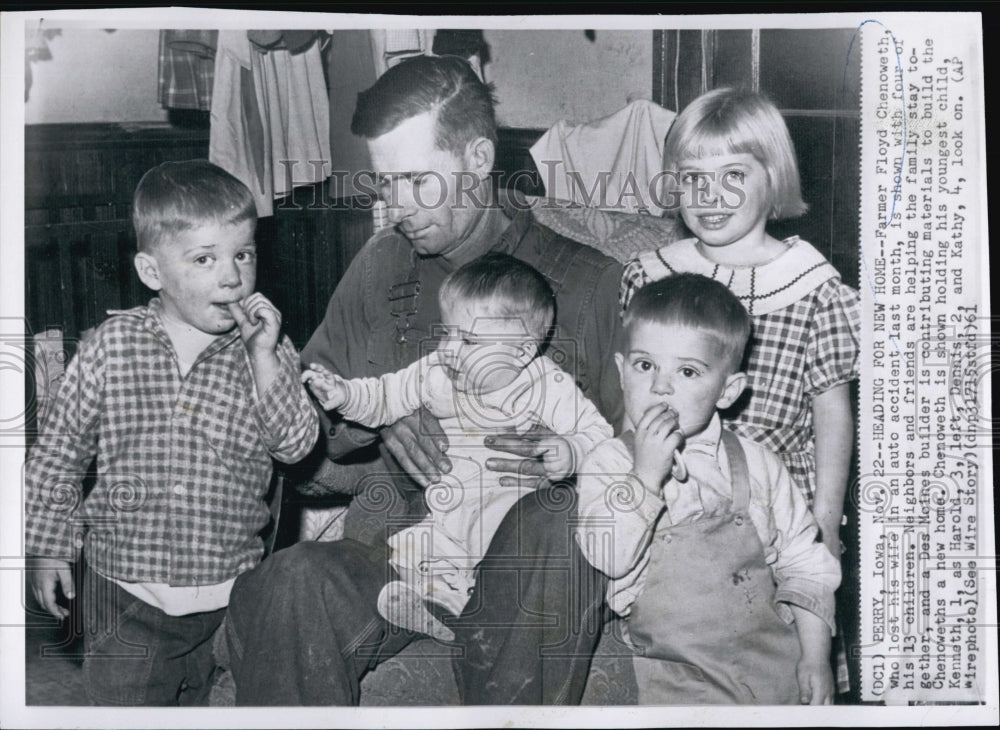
{"x": 695, "y": 301}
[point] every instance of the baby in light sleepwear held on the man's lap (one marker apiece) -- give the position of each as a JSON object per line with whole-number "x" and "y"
{"x": 486, "y": 377}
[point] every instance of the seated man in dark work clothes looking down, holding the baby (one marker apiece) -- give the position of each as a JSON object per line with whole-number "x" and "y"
{"x": 304, "y": 627}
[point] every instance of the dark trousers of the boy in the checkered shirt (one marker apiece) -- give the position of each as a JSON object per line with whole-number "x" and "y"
{"x": 135, "y": 654}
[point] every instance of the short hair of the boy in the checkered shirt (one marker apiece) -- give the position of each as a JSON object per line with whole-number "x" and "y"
{"x": 178, "y": 196}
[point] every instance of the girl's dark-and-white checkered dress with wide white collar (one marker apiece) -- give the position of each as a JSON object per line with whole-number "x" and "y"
{"x": 806, "y": 331}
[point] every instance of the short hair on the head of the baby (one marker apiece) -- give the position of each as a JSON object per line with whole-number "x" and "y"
{"x": 509, "y": 287}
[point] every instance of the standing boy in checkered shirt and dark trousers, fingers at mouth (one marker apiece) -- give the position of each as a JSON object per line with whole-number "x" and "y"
{"x": 183, "y": 402}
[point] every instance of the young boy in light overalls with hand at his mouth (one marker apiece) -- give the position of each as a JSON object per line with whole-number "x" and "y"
{"x": 728, "y": 598}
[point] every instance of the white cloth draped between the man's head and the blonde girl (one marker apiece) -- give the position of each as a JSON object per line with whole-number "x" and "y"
{"x": 610, "y": 163}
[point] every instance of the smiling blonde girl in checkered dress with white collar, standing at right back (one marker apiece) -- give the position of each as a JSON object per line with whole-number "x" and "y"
{"x": 731, "y": 167}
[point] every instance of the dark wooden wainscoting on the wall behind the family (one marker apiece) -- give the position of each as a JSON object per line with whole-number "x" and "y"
{"x": 79, "y": 181}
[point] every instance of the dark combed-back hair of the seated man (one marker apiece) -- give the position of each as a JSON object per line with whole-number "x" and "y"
{"x": 446, "y": 85}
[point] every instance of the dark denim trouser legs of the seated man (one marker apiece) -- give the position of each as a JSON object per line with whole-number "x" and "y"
{"x": 303, "y": 627}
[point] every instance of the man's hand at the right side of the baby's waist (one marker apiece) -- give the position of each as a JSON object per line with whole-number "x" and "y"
{"x": 544, "y": 456}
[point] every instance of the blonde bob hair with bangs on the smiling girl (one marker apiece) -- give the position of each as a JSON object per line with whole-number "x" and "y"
{"x": 735, "y": 121}
